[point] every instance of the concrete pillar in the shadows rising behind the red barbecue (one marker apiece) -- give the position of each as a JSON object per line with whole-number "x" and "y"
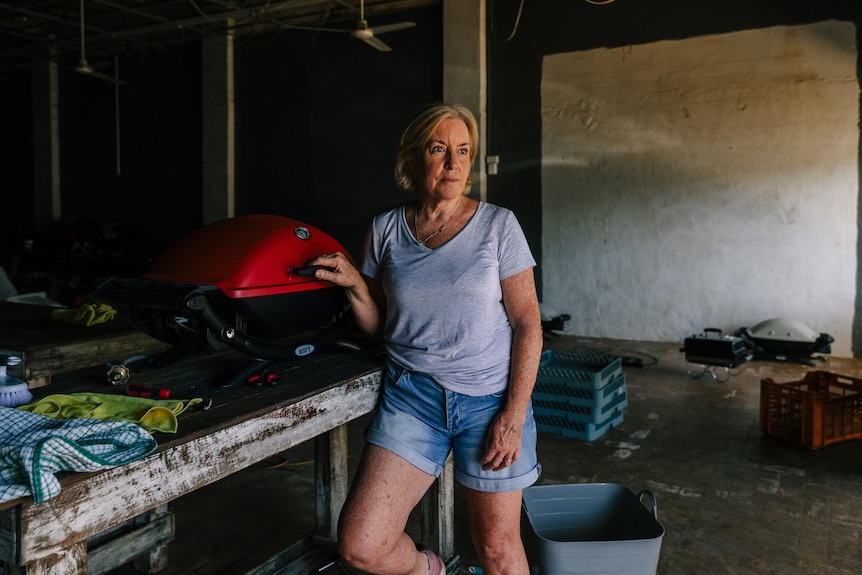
{"x": 217, "y": 104}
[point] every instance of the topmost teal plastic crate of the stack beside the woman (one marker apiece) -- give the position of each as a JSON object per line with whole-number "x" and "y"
{"x": 563, "y": 367}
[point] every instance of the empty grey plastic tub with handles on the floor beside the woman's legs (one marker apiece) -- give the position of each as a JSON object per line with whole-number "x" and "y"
{"x": 592, "y": 528}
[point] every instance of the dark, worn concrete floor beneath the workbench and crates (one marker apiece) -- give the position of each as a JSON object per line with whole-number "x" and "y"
{"x": 731, "y": 500}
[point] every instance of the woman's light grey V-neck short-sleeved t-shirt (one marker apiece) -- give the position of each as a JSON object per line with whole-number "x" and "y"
{"x": 445, "y": 315}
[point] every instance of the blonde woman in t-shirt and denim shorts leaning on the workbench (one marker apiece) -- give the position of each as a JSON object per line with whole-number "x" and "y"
{"x": 449, "y": 283}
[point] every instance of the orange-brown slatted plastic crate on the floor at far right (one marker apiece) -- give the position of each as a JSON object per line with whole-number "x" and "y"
{"x": 821, "y": 409}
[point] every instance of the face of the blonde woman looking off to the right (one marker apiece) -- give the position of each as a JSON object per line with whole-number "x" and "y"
{"x": 443, "y": 166}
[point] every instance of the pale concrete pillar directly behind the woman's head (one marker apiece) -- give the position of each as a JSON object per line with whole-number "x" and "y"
{"x": 465, "y": 72}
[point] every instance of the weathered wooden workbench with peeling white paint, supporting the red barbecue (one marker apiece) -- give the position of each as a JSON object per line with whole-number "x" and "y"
{"x": 245, "y": 425}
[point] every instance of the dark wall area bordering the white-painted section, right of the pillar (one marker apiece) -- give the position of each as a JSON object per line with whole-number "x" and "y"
{"x": 556, "y": 26}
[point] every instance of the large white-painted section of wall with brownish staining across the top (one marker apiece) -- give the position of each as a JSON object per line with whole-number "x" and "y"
{"x": 708, "y": 182}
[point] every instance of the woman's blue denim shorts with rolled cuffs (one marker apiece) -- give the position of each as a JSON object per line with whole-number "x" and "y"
{"x": 421, "y": 422}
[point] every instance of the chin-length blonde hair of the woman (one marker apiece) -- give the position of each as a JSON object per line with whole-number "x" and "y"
{"x": 418, "y": 134}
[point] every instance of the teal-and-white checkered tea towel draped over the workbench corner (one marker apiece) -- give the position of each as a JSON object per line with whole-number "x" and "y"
{"x": 34, "y": 447}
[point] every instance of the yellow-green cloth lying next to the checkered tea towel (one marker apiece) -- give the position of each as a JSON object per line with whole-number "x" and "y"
{"x": 151, "y": 414}
